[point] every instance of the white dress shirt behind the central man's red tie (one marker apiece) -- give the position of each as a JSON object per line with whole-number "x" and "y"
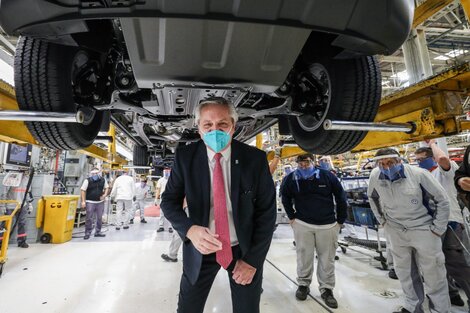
{"x": 225, "y": 164}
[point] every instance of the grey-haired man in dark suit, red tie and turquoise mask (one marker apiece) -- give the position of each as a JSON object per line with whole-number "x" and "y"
{"x": 231, "y": 206}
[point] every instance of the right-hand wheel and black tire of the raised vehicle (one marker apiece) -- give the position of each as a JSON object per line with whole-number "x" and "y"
{"x": 347, "y": 90}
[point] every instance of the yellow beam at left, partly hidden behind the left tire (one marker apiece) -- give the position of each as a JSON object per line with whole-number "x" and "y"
{"x": 17, "y": 132}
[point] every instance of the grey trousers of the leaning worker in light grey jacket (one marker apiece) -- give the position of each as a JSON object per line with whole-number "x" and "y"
{"x": 414, "y": 250}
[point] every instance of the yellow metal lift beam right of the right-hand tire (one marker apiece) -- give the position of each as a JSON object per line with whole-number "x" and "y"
{"x": 433, "y": 105}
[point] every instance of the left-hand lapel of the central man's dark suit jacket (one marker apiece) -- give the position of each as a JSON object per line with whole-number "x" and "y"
{"x": 201, "y": 170}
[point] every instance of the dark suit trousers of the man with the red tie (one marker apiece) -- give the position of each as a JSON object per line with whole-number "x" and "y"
{"x": 245, "y": 299}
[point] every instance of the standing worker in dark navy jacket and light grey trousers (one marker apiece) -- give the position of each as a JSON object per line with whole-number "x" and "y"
{"x": 309, "y": 195}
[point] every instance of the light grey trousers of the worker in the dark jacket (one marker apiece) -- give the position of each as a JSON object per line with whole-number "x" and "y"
{"x": 325, "y": 241}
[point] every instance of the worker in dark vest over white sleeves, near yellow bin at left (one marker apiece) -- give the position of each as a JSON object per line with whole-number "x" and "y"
{"x": 93, "y": 191}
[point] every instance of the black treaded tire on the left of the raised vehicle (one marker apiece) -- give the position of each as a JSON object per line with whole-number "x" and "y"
{"x": 43, "y": 82}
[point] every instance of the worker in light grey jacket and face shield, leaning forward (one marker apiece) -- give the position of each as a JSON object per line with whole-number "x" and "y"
{"x": 414, "y": 209}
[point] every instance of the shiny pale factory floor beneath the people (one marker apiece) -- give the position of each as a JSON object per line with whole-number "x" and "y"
{"x": 124, "y": 272}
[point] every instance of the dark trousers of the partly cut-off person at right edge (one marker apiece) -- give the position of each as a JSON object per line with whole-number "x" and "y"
{"x": 456, "y": 266}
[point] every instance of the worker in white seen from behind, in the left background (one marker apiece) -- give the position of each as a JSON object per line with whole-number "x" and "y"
{"x": 123, "y": 192}
